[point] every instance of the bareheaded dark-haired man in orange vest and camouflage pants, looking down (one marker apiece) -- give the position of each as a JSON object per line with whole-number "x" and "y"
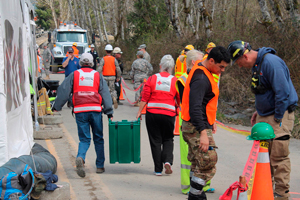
{"x": 199, "y": 109}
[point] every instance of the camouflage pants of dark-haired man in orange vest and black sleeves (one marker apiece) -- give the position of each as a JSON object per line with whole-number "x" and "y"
{"x": 202, "y": 163}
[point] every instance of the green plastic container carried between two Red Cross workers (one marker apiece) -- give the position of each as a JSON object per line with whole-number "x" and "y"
{"x": 124, "y": 141}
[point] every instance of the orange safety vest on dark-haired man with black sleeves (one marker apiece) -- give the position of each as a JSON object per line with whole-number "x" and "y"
{"x": 211, "y": 107}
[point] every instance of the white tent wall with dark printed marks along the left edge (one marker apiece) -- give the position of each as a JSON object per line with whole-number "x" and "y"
{"x": 16, "y": 130}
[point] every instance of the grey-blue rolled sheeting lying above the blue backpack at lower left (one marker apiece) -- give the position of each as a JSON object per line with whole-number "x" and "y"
{"x": 40, "y": 160}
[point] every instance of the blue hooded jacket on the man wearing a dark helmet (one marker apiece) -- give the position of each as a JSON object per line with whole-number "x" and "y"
{"x": 275, "y": 76}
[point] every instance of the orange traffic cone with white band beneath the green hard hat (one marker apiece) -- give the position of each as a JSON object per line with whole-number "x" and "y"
{"x": 262, "y": 185}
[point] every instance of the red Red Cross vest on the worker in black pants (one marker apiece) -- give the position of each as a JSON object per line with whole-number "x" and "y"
{"x": 163, "y": 92}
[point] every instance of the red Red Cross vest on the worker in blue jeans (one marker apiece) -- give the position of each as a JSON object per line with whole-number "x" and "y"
{"x": 86, "y": 97}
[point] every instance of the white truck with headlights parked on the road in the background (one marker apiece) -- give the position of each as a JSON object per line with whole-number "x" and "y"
{"x": 62, "y": 38}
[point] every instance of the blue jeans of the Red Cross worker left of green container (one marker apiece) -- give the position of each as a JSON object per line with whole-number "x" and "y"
{"x": 84, "y": 121}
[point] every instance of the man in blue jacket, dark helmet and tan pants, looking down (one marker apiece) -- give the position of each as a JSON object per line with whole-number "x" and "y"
{"x": 275, "y": 102}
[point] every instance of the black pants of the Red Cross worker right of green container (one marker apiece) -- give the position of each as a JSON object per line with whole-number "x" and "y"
{"x": 160, "y": 131}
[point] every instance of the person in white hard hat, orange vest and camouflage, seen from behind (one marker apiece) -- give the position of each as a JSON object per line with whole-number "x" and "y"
{"x": 109, "y": 67}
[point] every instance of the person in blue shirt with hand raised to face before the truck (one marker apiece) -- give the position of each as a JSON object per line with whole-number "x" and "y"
{"x": 70, "y": 63}
